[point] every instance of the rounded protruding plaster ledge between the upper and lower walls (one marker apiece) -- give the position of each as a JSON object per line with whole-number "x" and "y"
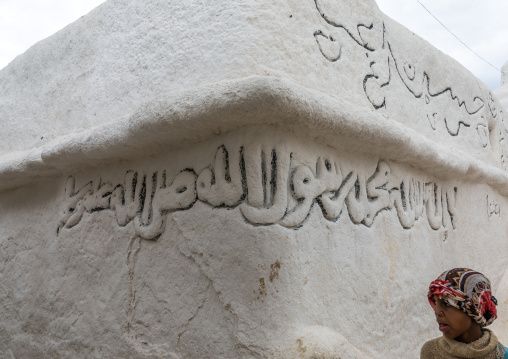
{"x": 181, "y": 118}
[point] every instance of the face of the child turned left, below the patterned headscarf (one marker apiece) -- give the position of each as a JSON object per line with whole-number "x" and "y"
{"x": 454, "y": 323}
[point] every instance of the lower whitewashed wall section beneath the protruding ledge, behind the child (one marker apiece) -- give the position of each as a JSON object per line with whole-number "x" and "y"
{"x": 298, "y": 265}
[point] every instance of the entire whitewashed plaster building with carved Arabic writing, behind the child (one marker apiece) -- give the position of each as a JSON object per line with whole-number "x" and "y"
{"x": 251, "y": 180}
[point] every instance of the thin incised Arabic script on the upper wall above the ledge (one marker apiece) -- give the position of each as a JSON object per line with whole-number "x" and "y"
{"x": 370, "y": 33}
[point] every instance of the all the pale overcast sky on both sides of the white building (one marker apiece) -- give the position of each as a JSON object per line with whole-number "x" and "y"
{"x": 481, "y": 24}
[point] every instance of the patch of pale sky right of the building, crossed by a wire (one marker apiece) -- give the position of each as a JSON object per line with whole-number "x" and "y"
{"x": 480, "y": 24}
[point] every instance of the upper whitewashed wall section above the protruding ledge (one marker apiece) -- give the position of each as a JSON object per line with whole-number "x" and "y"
{"x": 106, "y": 65}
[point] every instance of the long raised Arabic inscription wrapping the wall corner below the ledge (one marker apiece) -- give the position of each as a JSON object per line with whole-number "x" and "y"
{"x": 268, "y": 189}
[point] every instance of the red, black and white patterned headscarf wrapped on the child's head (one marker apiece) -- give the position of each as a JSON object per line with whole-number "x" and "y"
{"x": 467, "y": 290}
